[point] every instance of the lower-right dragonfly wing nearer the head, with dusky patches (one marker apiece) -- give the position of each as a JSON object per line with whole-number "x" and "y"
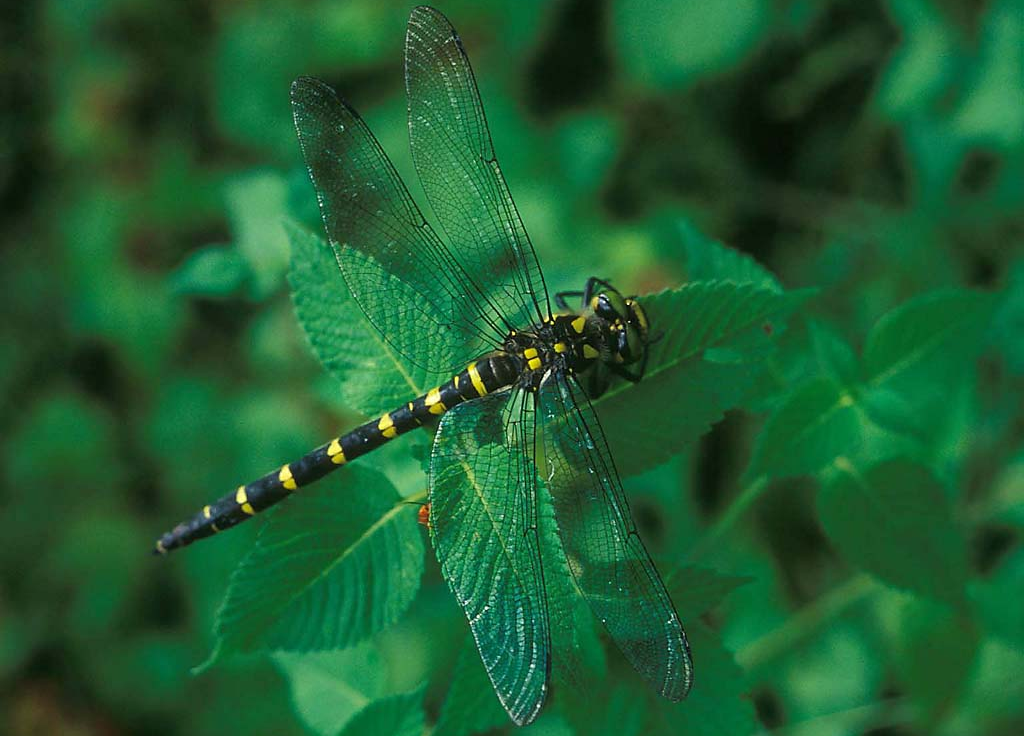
{"x": 606, "y": 555}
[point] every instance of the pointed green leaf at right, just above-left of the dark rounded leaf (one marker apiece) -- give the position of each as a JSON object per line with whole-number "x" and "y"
{"x": 815, "y": 425}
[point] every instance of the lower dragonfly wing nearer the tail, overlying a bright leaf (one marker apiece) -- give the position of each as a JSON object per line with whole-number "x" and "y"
{"x": 484, "y": 517}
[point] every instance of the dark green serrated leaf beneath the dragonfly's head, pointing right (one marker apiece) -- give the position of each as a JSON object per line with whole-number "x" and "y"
{"x": 695, "y": 319}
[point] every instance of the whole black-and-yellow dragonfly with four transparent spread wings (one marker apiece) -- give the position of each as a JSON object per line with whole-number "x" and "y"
{"x": 514, "y": 419}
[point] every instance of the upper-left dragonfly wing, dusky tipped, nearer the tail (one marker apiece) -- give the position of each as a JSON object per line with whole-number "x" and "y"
{"x": 396, "y": 267}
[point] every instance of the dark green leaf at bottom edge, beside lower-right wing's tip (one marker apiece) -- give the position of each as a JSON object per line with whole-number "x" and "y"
{"x": 718, "y": 705}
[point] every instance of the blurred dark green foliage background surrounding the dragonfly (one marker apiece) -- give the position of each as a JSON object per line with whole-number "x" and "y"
{"x": 845, "y": 547}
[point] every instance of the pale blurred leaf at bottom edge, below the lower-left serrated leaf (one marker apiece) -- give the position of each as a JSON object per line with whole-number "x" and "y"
{"x": 329, "y": 688}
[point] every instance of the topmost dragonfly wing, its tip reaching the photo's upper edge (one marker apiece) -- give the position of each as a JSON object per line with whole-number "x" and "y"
{"x": 456, "y": 162}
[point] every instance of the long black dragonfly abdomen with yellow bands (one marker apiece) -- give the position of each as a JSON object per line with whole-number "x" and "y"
{"x": 479, "y": 379}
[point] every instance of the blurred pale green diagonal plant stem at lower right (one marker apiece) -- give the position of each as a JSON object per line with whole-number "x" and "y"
{"x": 805, "y": 623}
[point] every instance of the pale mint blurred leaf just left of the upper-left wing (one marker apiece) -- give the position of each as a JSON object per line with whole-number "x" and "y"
{"x": 257, "y": 206}
